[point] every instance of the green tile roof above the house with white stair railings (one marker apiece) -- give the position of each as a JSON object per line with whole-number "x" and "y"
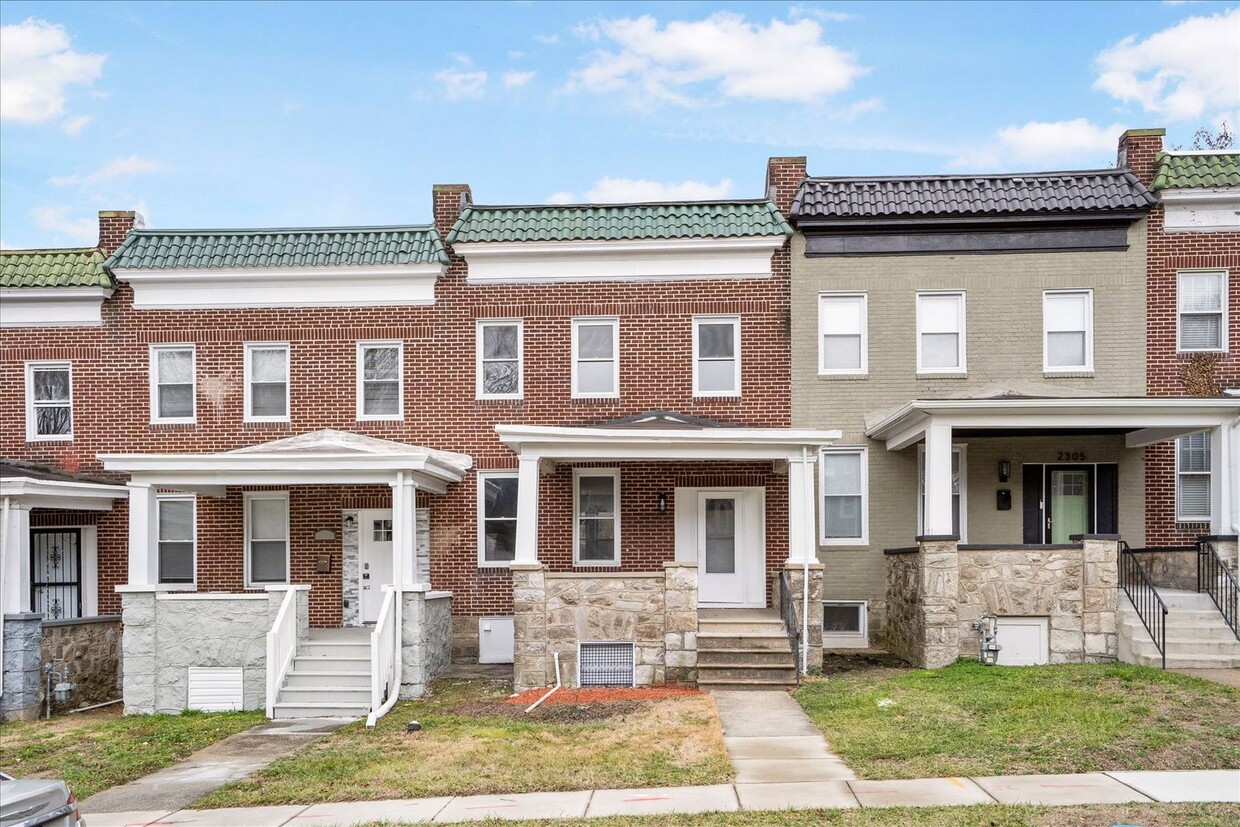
{"x": 311, "y": 247}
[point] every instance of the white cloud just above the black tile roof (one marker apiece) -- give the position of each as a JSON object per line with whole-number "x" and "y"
{"x": 1045, "y": 144}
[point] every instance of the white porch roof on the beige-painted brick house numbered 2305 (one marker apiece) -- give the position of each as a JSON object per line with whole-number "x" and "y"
{"x": 1144, "y": 421}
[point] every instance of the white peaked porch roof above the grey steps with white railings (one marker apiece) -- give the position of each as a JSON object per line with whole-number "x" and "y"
{"x": 321, "y": 458}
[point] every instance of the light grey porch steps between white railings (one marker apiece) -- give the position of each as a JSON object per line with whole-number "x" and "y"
{"x": 330, "y": 676}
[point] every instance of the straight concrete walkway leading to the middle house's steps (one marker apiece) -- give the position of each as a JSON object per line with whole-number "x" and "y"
{"x": 772, "y": 741}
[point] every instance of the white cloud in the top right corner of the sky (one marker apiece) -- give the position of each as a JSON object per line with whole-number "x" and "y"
{"x": 1186, "y": 73}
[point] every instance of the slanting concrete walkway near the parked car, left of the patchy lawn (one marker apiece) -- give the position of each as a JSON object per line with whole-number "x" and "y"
{"x": 211, "y": 768}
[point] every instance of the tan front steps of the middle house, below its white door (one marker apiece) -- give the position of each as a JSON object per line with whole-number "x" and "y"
{"x": 745, "y": 649}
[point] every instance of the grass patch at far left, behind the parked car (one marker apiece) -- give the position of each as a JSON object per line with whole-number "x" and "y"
{"x": 96, "y": 752}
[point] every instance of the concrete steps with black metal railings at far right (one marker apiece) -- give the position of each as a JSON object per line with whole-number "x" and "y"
{"x": 1197, "y": 635}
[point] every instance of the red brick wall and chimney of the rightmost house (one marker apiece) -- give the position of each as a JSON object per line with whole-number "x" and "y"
{"x": 1170, "y": 374}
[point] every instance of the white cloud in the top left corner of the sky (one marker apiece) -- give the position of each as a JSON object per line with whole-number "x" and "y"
{"x": 37, "y": 64}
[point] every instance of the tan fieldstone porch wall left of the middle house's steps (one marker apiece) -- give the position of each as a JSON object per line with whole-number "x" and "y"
{"x": 655, "y": 611}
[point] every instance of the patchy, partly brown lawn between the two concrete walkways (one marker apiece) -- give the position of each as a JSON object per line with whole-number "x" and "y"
{"x": 472, "y": 742}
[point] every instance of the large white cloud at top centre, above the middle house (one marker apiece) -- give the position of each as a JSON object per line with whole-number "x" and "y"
{"x": 724, "y": 54}
